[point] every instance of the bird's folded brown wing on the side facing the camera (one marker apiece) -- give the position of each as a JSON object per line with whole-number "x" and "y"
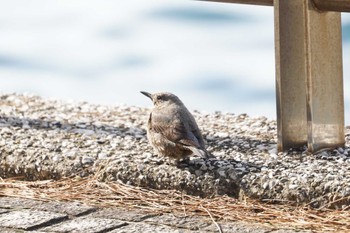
{"x": 173, "y": 130}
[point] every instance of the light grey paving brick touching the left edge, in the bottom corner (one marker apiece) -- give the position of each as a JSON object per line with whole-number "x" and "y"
{"x": 29, "y": 219}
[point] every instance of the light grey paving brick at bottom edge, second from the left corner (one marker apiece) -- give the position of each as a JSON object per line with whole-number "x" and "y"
{"x": 86, "y": 225}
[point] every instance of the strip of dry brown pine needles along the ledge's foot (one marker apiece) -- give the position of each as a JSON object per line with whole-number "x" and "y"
{"x": 223, "y": 208}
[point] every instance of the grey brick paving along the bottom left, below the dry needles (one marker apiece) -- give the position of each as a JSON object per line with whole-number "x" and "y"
{"x": 26, "y": 218}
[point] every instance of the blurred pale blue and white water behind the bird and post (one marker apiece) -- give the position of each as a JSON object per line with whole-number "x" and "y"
{"x": 214, "y": 56}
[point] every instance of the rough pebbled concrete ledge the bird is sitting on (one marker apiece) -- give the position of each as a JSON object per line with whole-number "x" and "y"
{"x": 44, "y": 139}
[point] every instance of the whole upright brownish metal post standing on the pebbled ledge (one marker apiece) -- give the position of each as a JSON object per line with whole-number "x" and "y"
{"x": 310, "y": 99}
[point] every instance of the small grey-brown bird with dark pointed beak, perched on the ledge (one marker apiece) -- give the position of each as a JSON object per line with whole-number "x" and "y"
{"x": 172, "y": 130}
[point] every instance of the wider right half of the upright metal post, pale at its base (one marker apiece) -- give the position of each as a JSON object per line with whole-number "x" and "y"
{"x": 324, "y": 79}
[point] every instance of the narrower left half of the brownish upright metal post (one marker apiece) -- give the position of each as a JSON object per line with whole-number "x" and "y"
{"x": 290, "y": 73}
